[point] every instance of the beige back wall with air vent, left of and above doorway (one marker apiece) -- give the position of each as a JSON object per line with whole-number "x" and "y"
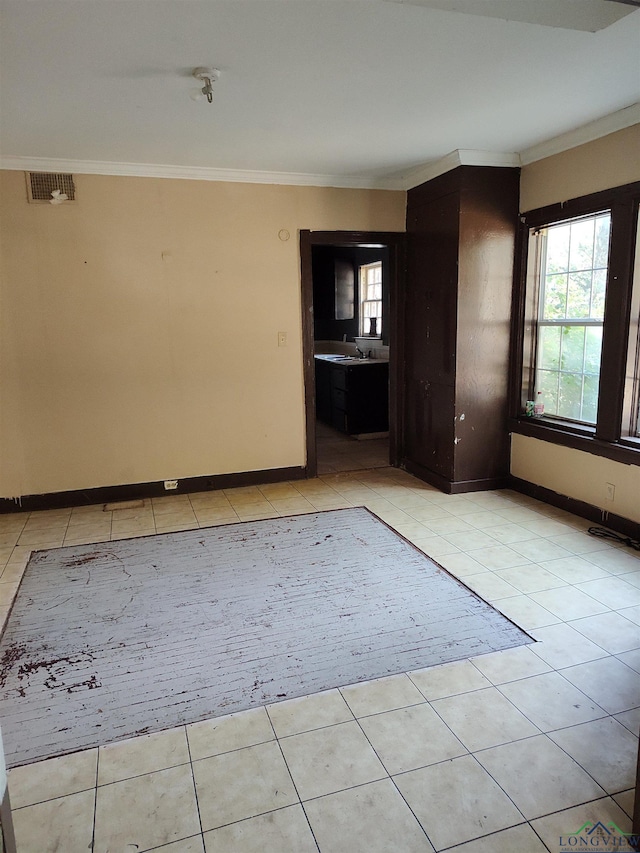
{"x": 139, "y": 327}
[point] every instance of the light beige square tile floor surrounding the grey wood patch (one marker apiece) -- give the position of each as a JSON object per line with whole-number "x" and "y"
{"x": 497, "y": 754}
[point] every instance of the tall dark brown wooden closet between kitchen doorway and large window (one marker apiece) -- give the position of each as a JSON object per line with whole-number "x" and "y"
{"x": 460, "y": 248}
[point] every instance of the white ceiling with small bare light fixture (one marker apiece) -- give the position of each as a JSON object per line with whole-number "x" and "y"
{"x": 343, "y": 90}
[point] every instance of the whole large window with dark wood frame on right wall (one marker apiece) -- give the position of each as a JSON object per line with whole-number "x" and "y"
{"x": 577, "y": 323}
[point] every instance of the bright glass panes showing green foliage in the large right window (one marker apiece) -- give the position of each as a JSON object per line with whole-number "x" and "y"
{"x": 573, "y": 264}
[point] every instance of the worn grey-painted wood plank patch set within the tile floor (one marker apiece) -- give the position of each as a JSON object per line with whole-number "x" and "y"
{"x": 108, "y": 641}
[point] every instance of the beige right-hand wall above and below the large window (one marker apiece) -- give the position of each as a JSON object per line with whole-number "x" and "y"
{"x": 607, "y": 162}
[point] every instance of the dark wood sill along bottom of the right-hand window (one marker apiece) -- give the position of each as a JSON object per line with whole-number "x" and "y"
{"x": 578, "y": 438}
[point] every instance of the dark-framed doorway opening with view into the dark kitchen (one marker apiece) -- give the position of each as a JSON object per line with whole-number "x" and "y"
{"x": 350, "y": 302}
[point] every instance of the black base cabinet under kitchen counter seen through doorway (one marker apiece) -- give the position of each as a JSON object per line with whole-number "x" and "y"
{"x": 353, "y": 398}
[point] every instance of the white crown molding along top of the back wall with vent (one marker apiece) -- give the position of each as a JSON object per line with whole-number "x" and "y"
{"x": 196, "y": 173}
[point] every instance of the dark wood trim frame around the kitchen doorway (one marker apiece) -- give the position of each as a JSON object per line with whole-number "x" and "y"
{"x": 395, "y": 242}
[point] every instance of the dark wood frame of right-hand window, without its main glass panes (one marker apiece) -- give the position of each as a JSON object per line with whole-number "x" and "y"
{"x": 615, "y": 435}
